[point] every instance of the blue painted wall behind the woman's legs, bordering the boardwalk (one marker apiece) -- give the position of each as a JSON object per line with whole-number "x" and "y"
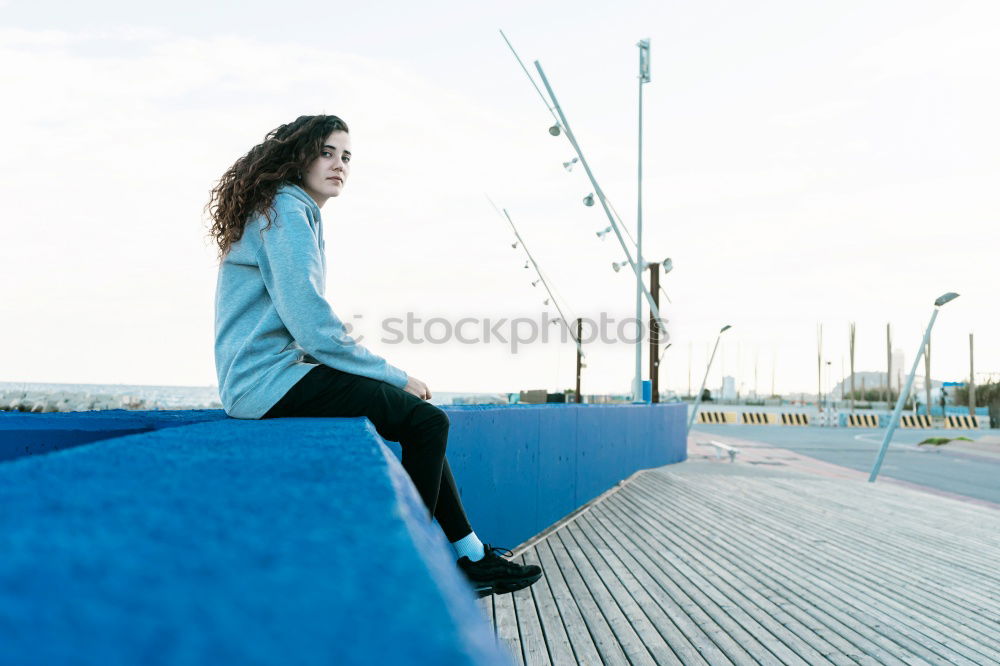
{"x": 521, "y": 468}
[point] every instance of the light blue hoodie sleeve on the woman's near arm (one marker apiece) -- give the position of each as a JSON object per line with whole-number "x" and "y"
{"x": 291, "y": 267}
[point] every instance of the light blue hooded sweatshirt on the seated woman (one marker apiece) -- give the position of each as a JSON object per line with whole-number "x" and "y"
{"x": 273, "y": 323}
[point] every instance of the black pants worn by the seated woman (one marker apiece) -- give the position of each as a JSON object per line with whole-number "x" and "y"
{"x": 420, "y": 428}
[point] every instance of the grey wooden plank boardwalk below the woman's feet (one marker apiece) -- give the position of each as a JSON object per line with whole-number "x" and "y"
{"x": 759, "y": 562}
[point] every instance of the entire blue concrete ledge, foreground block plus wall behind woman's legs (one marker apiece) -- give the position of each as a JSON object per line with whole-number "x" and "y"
{"x": 192, "y": 538}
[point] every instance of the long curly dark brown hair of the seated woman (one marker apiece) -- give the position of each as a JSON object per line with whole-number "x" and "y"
{"x": 249, "y": 186}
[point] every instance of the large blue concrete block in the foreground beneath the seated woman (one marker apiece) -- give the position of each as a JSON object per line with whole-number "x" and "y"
{"x": 229, "y": 542}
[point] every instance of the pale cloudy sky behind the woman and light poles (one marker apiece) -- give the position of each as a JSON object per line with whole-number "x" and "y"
{"x": 804, "y": 165}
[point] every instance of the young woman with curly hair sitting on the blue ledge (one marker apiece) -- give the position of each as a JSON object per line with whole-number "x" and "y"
{"x": 281, "y": 351}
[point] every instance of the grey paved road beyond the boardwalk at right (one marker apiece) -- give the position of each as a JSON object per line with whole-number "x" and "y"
{"x": 963, "y": 473}
